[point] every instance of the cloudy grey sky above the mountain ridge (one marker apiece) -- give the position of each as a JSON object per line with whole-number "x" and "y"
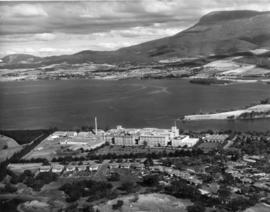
{"x": 45, "y": 28}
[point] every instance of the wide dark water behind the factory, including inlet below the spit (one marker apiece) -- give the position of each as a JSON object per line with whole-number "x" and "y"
{"x": 131, "y": 103}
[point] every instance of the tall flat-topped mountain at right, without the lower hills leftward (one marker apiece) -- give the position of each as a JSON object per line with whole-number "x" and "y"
{"x": 218, "y": 33}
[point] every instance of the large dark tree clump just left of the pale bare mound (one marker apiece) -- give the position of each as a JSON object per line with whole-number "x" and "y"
{"x": 94, "y": 190}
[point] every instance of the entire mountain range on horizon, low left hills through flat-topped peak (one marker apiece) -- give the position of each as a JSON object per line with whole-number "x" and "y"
{"x": 217, "y": 33}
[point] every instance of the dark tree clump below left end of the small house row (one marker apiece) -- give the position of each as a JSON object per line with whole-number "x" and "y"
{"x": 28, "y": 178}
